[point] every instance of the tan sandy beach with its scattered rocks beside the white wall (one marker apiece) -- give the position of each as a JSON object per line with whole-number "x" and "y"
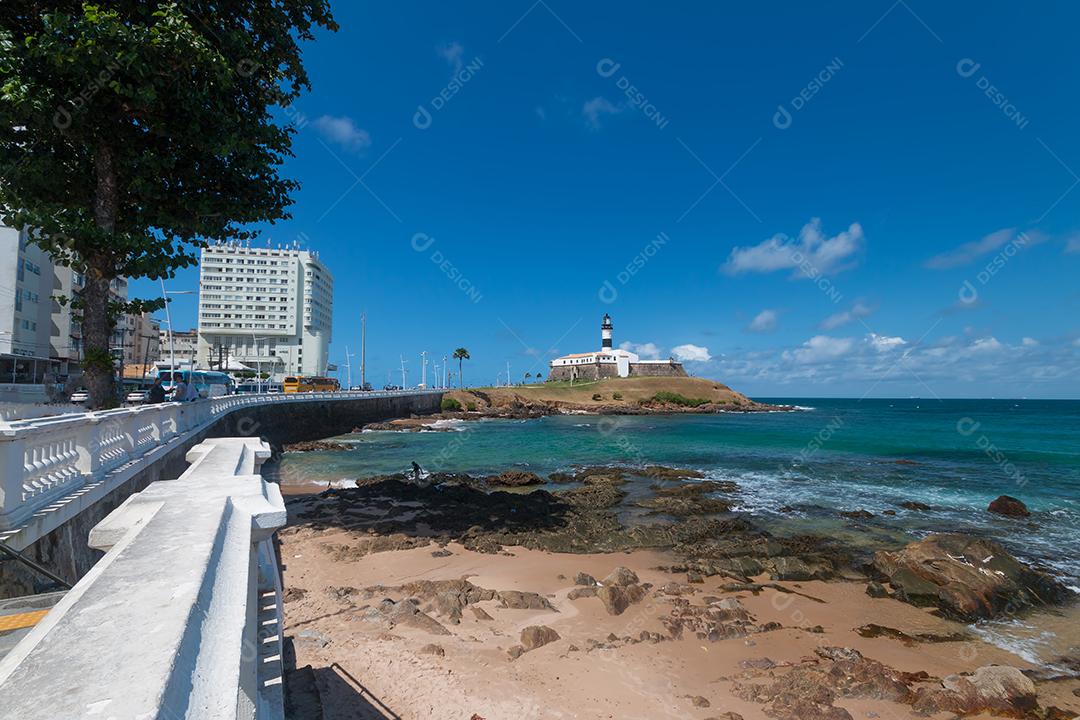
{"x": 413, "y": 626}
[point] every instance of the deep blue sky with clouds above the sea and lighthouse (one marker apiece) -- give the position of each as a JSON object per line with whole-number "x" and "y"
{"x": 852, "y": 199}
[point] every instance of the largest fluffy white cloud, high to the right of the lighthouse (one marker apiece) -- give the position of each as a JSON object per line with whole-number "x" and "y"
{"x": 813, "y": 254}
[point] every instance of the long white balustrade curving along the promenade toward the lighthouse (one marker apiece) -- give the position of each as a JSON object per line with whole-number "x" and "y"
{"x": 69, "y": 460}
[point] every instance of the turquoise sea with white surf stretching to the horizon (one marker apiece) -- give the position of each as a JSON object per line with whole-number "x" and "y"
{"x": 835, "y": 455}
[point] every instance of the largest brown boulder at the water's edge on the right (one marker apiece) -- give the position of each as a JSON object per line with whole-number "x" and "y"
{"x": 967, "y": 578}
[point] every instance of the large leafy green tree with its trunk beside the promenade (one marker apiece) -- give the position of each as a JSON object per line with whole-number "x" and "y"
{"x": 133, "y": 133}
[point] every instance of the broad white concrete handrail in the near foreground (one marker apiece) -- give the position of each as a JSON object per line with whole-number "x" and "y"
{"x": 181, "y": 619}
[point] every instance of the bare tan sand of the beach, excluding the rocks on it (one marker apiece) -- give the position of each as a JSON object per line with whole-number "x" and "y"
{"x": 599, "y": 668}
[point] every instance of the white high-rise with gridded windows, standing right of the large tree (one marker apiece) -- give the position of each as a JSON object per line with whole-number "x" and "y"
{"x": 268, "y": 309}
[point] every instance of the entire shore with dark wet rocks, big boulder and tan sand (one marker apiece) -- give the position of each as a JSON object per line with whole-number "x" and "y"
{"x": 533, "y": 603}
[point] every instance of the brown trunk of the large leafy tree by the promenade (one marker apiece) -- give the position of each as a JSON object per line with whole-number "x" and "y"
{"x": 97, "y": 327}
